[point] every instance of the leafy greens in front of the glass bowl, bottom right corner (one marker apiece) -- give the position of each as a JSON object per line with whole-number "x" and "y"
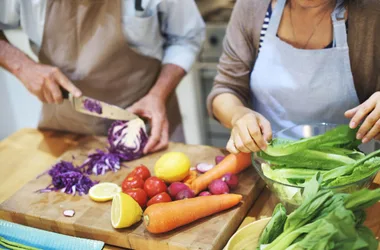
{"x": 324, "y": 221}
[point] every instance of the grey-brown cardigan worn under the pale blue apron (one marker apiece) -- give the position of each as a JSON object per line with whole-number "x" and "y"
{"x": 242, "y": 42}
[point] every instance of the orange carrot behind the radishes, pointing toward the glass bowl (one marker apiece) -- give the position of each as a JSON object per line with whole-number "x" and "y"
{"x": 230, "y": 164}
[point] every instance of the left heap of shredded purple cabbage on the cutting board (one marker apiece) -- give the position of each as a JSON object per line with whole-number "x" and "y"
{"x": 68, "y": 179}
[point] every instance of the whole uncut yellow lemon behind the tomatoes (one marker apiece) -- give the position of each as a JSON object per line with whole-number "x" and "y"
{"x": 172, "y": 167}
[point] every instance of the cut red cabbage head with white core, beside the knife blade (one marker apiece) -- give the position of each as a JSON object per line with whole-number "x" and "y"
{"x": 127, "y": 139}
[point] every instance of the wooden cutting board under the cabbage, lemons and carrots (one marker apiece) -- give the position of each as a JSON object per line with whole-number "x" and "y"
{"x": 92, "y": 220}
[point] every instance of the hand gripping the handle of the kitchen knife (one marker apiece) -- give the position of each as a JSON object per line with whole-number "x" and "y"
{"x": 44, "y": 81}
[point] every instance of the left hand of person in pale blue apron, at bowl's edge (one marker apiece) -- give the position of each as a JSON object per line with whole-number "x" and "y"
{"x": 250, "y": 132}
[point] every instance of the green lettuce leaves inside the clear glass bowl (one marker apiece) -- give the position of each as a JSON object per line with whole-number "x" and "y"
{"x": 334, "y": 154}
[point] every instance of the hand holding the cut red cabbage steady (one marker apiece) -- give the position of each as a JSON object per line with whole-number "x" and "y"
{"x": 153, "y": 108}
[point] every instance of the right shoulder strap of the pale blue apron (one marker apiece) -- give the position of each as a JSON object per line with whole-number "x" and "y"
{"x": 339, "y": 24}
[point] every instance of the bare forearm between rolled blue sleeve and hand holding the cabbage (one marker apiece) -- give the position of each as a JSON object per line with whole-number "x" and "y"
{"x": 169, "y": 78}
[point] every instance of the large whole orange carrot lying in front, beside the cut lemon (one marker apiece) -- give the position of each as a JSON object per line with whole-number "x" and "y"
{"x": 163, "y": 217}
